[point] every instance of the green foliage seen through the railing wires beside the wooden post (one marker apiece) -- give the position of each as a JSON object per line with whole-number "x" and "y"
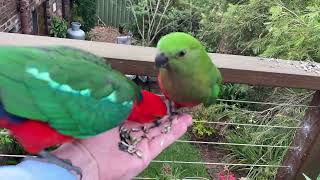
{"x": 259, "y": 115}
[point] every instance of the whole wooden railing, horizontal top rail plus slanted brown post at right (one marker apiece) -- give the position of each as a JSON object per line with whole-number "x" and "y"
{"x": 235, "y": 69}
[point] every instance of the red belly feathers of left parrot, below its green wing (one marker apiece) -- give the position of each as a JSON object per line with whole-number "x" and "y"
{"x": 35, "y": 136}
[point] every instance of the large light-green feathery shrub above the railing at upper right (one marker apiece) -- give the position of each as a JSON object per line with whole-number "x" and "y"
{"x": 287, "y": 29}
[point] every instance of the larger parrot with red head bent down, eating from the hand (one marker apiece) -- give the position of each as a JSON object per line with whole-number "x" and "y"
{"x": 53, "y": 95}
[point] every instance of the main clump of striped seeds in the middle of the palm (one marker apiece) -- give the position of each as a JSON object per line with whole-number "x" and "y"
{"x": 128, "y": 143}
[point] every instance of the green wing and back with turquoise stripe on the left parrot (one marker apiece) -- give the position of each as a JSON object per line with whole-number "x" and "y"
{"x": 74, "y": 91}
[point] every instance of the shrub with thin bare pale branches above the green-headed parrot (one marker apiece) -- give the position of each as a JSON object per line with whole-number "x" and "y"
{"x": 155, "y": 18}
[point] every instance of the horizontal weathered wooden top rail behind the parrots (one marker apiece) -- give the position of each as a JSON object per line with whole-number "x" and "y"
{"x": 139, "y": 60}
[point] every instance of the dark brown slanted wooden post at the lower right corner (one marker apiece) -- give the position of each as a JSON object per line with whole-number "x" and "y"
{"x": 306, "y": 157}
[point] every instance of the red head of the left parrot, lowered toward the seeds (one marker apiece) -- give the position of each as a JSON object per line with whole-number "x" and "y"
{"x": 150, "y": 108}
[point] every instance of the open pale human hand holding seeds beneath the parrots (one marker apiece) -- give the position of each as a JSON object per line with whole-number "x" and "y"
{"x": 100, "y": 158}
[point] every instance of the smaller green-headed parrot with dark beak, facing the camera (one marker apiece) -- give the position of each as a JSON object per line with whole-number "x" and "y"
{"x": 187, "y": 76}
